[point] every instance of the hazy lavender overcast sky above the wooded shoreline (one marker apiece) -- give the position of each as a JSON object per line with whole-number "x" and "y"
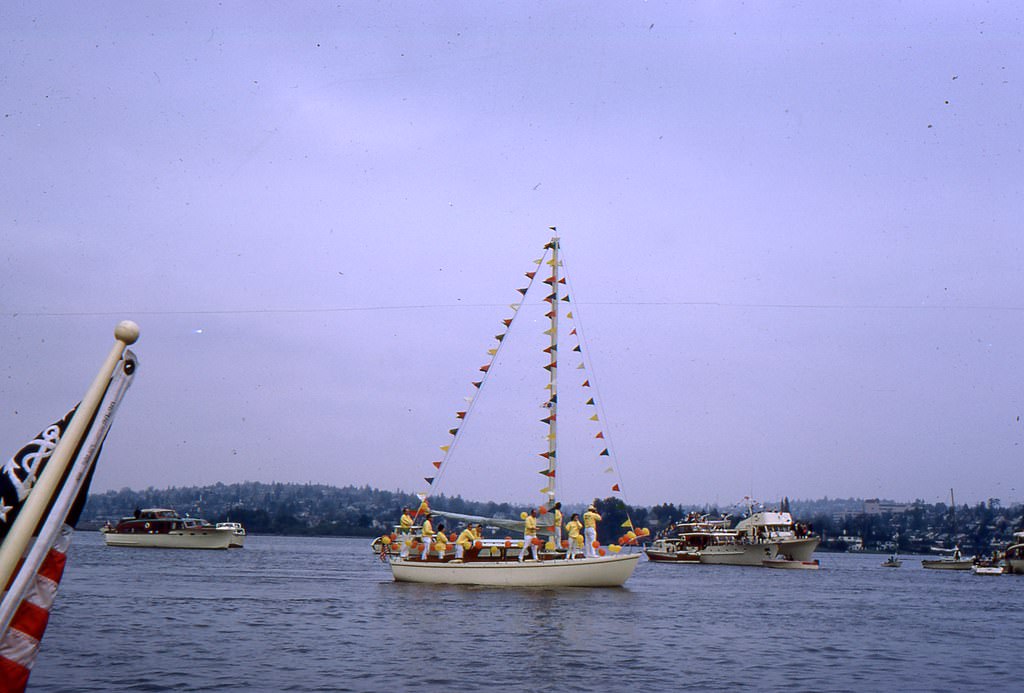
{"x": 792, "y": 231}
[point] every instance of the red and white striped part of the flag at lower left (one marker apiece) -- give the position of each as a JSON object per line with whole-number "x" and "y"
{"x": 20, "y": 644}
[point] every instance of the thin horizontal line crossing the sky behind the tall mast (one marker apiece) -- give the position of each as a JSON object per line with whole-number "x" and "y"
{"x": 436, "y": 307}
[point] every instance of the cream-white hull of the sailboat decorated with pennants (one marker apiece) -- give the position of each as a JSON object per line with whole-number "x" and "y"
{"x": 609, "y": 572}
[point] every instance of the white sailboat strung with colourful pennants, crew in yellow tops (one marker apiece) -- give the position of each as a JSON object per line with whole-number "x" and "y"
{"x": 499, "y": 562}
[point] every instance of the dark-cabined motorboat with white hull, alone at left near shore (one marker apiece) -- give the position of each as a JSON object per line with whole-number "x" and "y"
{"x": 164, "y": 529}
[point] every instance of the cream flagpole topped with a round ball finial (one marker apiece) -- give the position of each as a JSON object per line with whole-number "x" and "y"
{"x": 32, "y": 512}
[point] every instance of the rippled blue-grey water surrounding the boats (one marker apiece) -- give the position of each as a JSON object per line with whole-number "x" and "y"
{"x": 323, "y": 615}
